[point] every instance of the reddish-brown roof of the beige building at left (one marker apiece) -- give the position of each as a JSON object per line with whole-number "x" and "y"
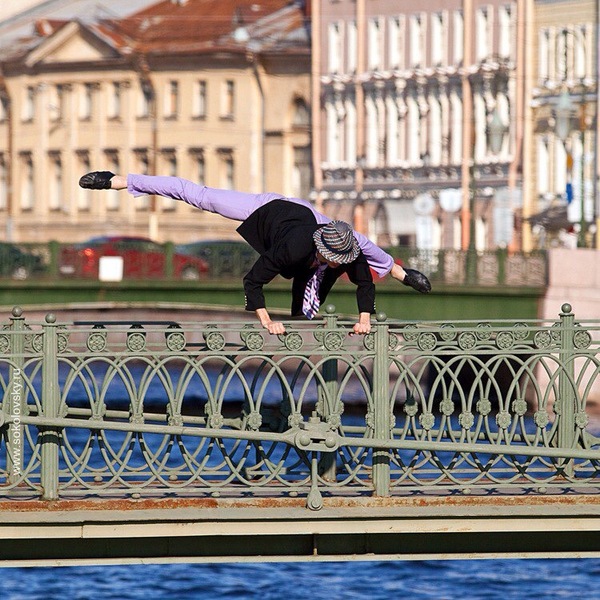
{"x": 186, "y": 27}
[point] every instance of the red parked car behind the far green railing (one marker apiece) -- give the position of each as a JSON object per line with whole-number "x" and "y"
{"x": 142, "y": 258}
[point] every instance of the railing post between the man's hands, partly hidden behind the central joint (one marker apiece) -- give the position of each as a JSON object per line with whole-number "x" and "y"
{"x": 327, "y": 394}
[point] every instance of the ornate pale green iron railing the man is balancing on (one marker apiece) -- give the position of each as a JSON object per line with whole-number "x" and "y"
{"x": 115, "y": 408}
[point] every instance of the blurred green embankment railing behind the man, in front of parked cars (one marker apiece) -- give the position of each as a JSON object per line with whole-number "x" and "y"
{"x": 231, "y": 260}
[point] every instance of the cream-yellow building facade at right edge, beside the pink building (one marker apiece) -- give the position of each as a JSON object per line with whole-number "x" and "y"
{"x": 563, "y": 167}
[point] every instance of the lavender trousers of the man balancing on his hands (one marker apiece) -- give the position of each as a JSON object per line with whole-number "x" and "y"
{"x": 239, "y": 206}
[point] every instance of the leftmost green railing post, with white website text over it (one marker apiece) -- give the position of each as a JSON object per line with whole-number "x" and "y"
{"x": 14, "y": 398}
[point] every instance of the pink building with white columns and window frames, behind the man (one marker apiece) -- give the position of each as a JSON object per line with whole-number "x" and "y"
{"x": 424, "y": 133}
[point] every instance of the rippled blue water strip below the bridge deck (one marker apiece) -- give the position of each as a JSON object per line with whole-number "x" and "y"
{"x": 440, "y": 580}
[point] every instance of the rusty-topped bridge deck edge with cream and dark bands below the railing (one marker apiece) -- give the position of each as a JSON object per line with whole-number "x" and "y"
{"x": 281, "y": 529}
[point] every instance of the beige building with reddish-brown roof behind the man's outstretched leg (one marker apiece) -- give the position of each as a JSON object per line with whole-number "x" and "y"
{"x": 220, "y": 98}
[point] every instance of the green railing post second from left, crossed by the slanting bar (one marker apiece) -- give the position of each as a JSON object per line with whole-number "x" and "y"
{"x": 50, "y": 436}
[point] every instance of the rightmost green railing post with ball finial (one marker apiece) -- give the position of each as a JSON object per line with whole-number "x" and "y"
{"x": 565, "y": 405}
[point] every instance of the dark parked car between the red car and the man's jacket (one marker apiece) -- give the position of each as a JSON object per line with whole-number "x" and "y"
{"x": 225, "y": 258}
